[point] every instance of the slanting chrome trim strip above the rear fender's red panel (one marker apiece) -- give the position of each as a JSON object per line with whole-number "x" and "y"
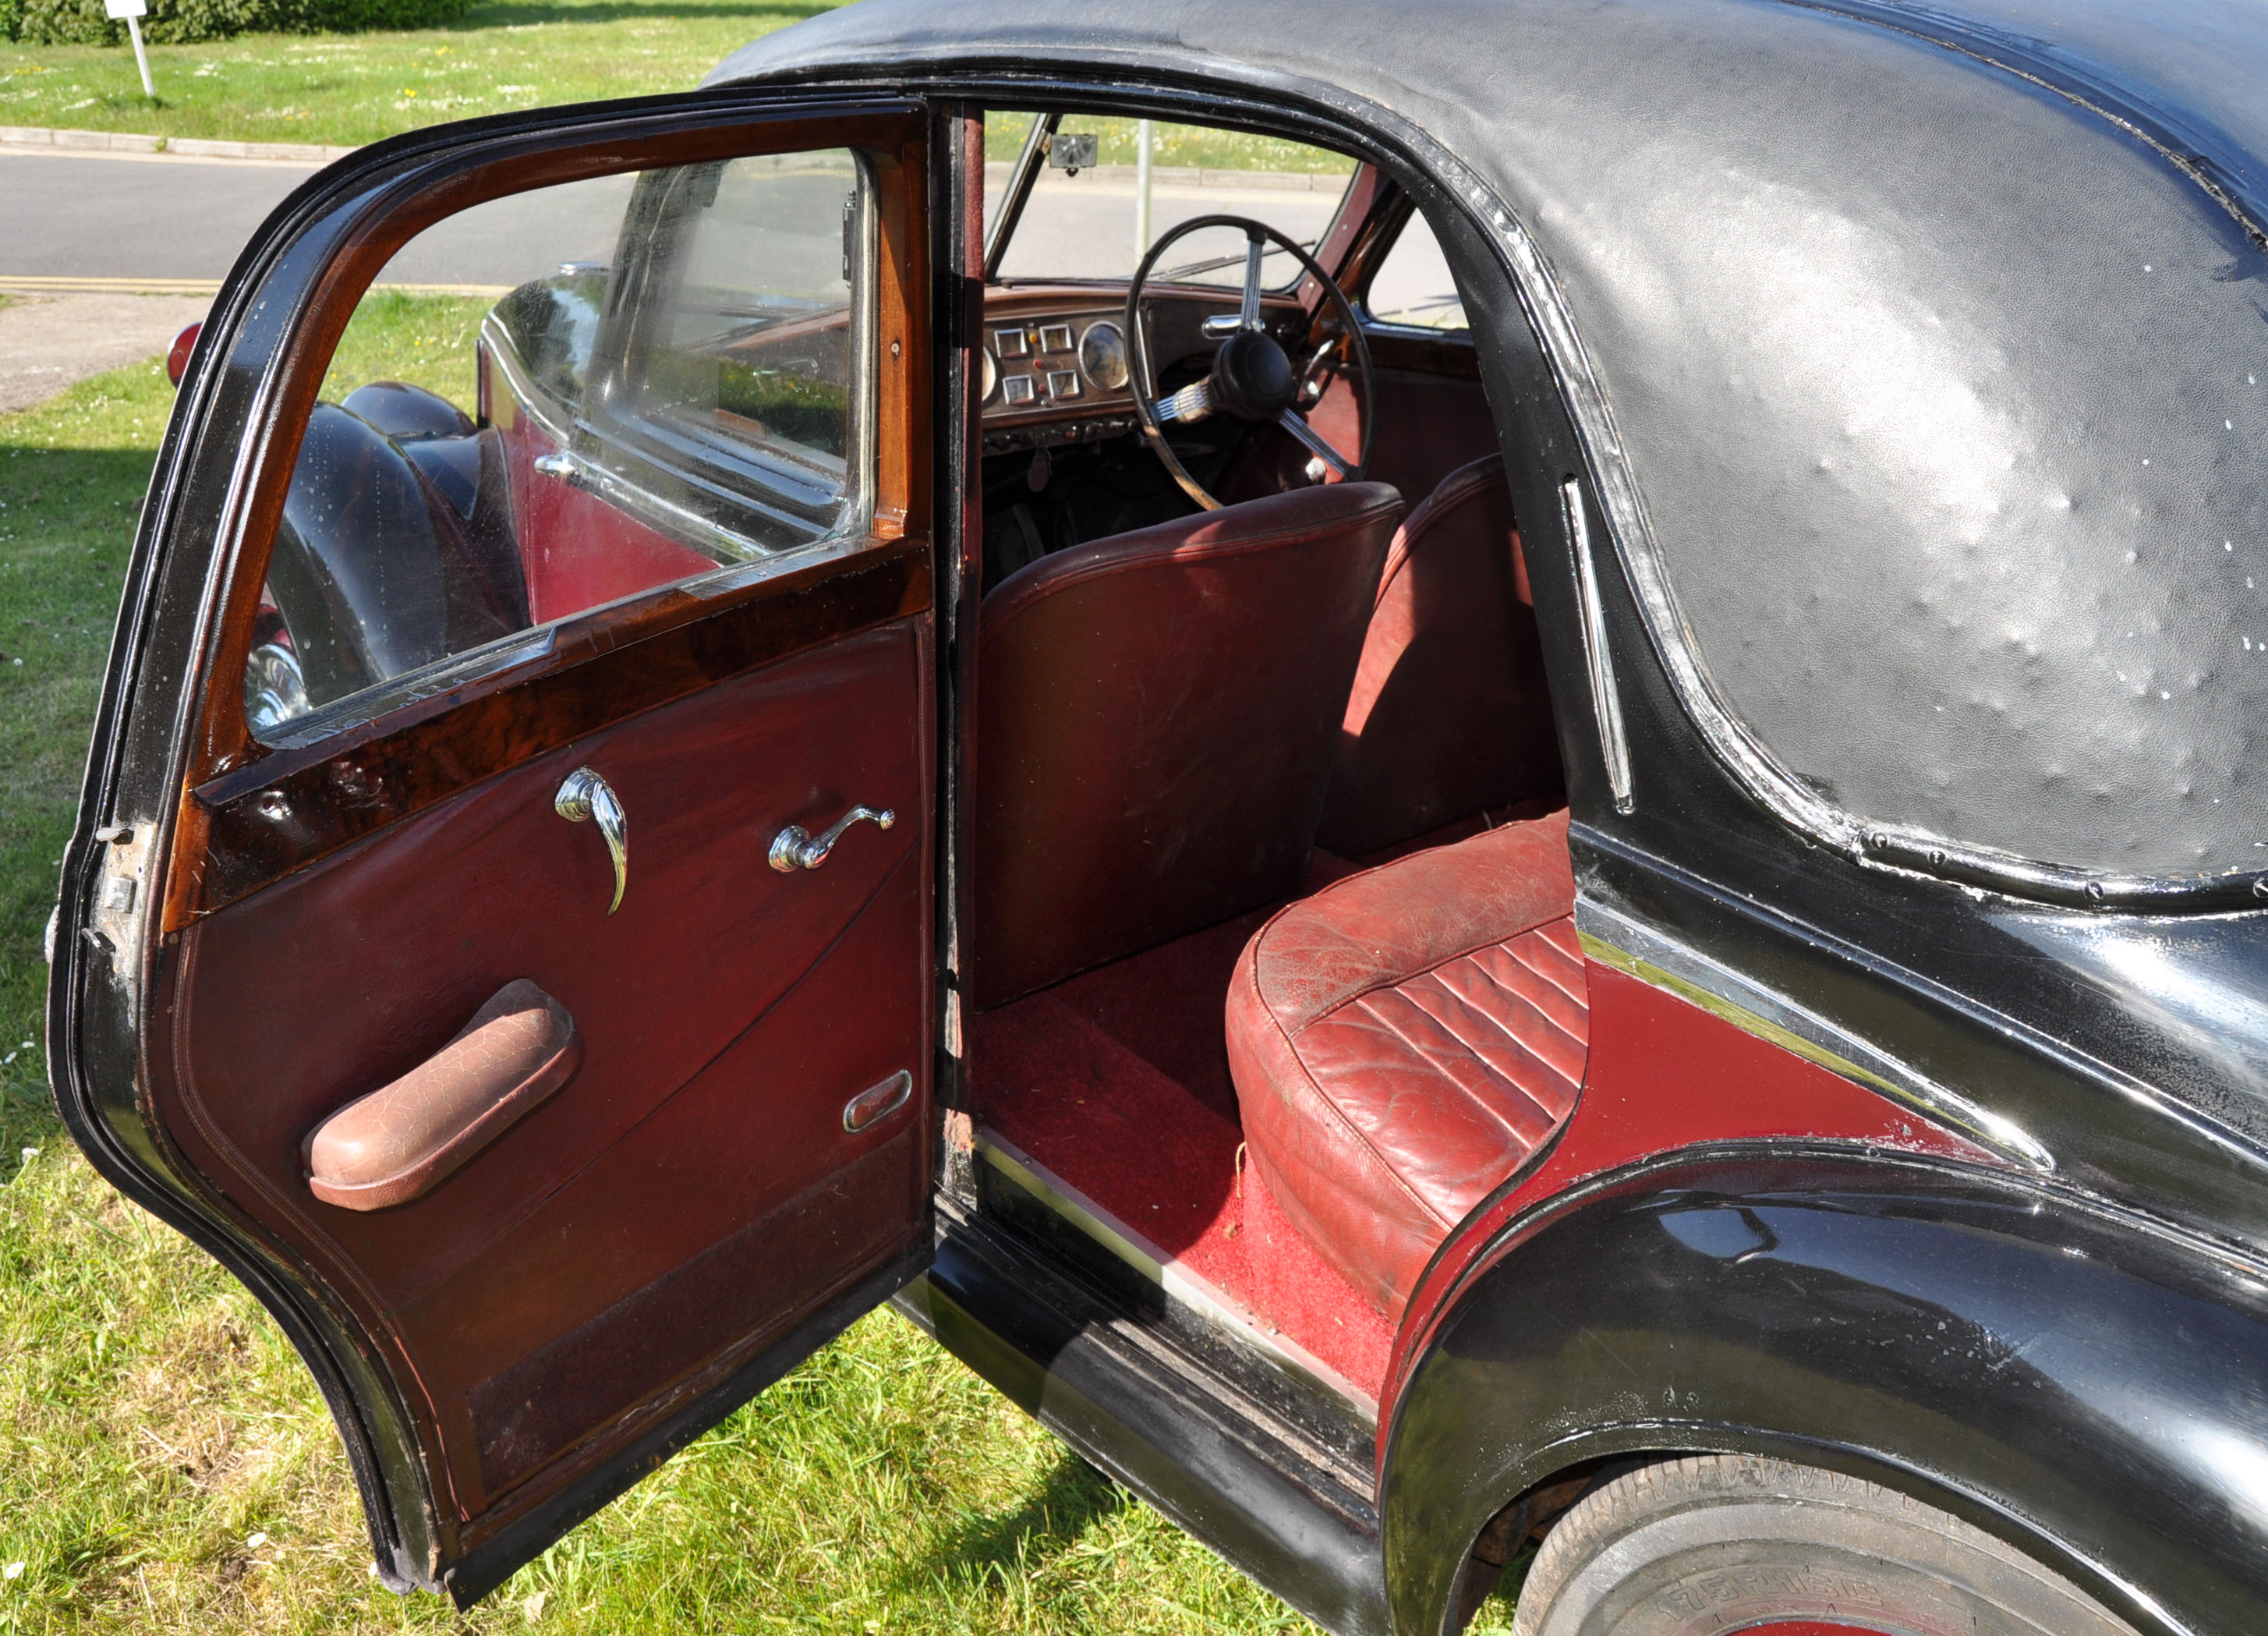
{"x": 1620, "y": 943}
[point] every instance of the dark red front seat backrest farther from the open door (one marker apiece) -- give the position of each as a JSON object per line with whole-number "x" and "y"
{"x": 1450, "y": 714}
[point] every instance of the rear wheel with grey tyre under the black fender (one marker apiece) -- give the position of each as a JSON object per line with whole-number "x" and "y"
{"x": 1734, "y": 1544}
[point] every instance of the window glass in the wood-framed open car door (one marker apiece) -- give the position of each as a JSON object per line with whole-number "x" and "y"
{"x": 561, "y": 400}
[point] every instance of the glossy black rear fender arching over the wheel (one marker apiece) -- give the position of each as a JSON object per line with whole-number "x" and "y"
{"x": 2063, "y": 1374}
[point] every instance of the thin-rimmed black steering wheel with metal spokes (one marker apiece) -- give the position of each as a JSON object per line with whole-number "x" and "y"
{"x": 1251, "y": 380}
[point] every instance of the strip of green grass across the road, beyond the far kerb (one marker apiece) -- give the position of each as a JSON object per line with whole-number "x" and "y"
{"x": 348, "y": 90}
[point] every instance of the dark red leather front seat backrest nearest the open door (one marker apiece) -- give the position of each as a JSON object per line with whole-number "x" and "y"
{"x": 1156, "y": 725}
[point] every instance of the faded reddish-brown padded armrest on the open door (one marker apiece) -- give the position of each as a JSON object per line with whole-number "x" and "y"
{"x": 405, "y": 1138}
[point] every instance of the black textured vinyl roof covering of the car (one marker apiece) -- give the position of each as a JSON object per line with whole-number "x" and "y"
{"x": 1922, "y": 355}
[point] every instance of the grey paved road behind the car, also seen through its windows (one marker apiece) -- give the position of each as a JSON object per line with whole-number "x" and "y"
{"x": 121, "y": 217}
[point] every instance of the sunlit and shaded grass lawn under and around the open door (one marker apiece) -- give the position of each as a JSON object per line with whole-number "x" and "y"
{"x": 164, "y": 1458}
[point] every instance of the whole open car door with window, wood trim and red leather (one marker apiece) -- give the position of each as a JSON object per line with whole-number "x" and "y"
{"x": 500, "y": 925}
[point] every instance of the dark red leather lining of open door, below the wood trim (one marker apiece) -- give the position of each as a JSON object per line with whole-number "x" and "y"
{"x": 716, "y": 1056}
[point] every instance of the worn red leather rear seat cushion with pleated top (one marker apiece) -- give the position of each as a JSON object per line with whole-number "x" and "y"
{"x": 1405, "y": 1040}
